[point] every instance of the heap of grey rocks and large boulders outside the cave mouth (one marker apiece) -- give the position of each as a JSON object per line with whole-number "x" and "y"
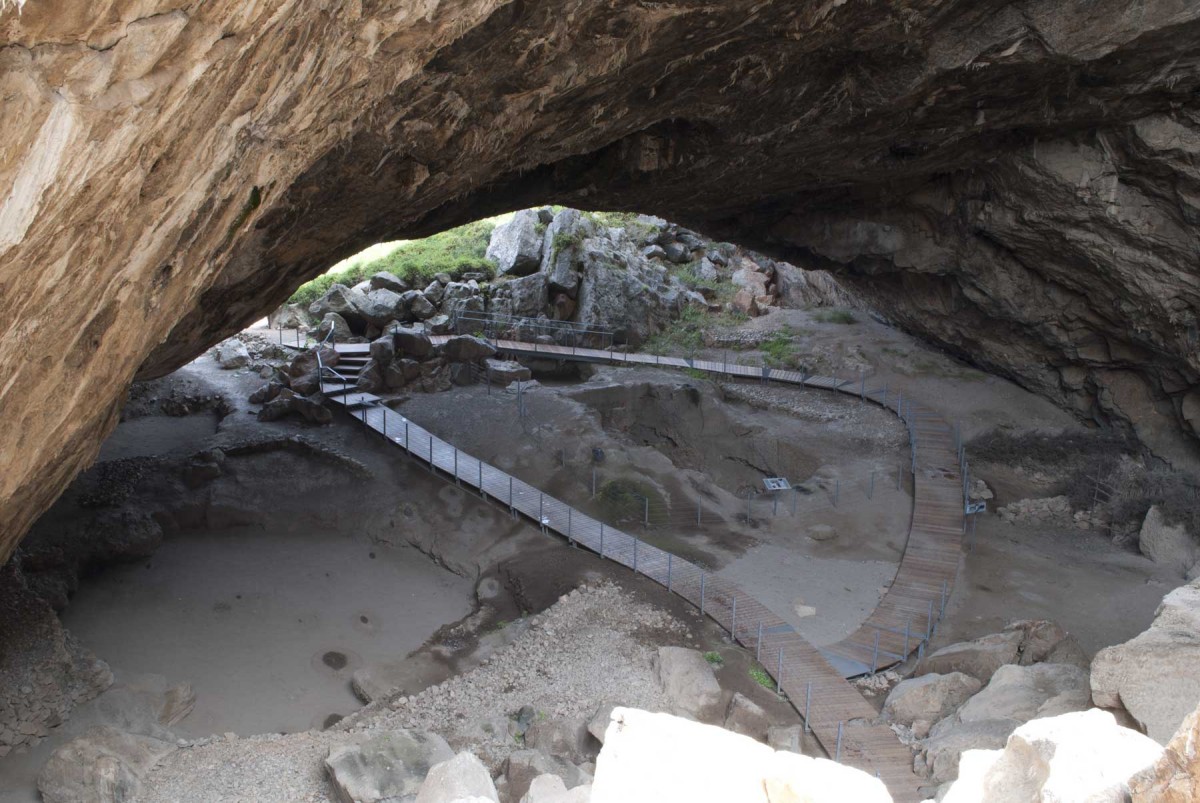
{"x": 568, "y": 266}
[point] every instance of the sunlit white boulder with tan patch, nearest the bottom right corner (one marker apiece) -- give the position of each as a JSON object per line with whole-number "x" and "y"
{"x": 1078, "y": 757}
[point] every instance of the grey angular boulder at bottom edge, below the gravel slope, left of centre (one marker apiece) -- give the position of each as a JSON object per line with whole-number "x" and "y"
{"x": 389, "y": 765}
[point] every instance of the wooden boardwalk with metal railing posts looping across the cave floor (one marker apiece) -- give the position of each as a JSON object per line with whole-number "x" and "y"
{"x": 814, "y": 680}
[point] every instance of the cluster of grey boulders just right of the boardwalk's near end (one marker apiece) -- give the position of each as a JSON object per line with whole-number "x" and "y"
{"x": 974, "y": 696}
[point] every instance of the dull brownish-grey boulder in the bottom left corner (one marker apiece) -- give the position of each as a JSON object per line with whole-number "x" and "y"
{"x": 105, "y": 765}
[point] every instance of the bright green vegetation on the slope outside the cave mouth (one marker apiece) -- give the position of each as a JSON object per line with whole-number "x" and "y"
{"x": 455, "y": 251}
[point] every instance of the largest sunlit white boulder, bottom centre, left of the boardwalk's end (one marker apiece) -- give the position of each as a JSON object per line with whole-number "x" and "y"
{"x": 655, "y": 758}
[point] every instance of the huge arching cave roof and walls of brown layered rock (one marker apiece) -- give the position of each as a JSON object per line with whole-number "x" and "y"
{"x": 1017, "y": 182}
